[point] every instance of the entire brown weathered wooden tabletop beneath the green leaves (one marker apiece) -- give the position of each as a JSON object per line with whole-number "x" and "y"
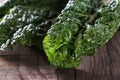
{"x": 25, "y": 63}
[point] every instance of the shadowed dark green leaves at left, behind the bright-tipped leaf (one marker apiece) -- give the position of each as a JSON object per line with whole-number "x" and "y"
{"x": 27, "y": 21}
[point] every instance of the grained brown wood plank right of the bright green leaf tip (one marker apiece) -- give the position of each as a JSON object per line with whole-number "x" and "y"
{"x": 105, "y": 65}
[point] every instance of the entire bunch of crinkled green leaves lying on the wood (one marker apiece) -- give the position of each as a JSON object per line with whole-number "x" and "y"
{"x": 74, "y": 29}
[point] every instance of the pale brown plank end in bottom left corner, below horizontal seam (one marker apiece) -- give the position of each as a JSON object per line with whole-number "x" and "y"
{"x": 9, "y": 68}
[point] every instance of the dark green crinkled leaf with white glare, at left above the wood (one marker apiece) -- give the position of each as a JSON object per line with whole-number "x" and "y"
{"x": 21, "y": 25}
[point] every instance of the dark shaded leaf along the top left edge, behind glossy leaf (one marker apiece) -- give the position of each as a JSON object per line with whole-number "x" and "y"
{"x": 49, "y": 4}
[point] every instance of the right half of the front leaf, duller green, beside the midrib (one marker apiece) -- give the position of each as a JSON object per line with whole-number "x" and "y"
{"x": 101, "y": 32}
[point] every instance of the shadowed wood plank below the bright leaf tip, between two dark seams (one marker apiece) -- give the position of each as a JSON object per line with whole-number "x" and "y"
{"x": 36, "y": 66}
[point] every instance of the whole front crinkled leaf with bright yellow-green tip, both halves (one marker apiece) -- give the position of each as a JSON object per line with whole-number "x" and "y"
{"x": 76, "y": 34}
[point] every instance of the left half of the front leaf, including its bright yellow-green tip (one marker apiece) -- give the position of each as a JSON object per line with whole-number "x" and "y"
{"x": 59, "y": 42}
